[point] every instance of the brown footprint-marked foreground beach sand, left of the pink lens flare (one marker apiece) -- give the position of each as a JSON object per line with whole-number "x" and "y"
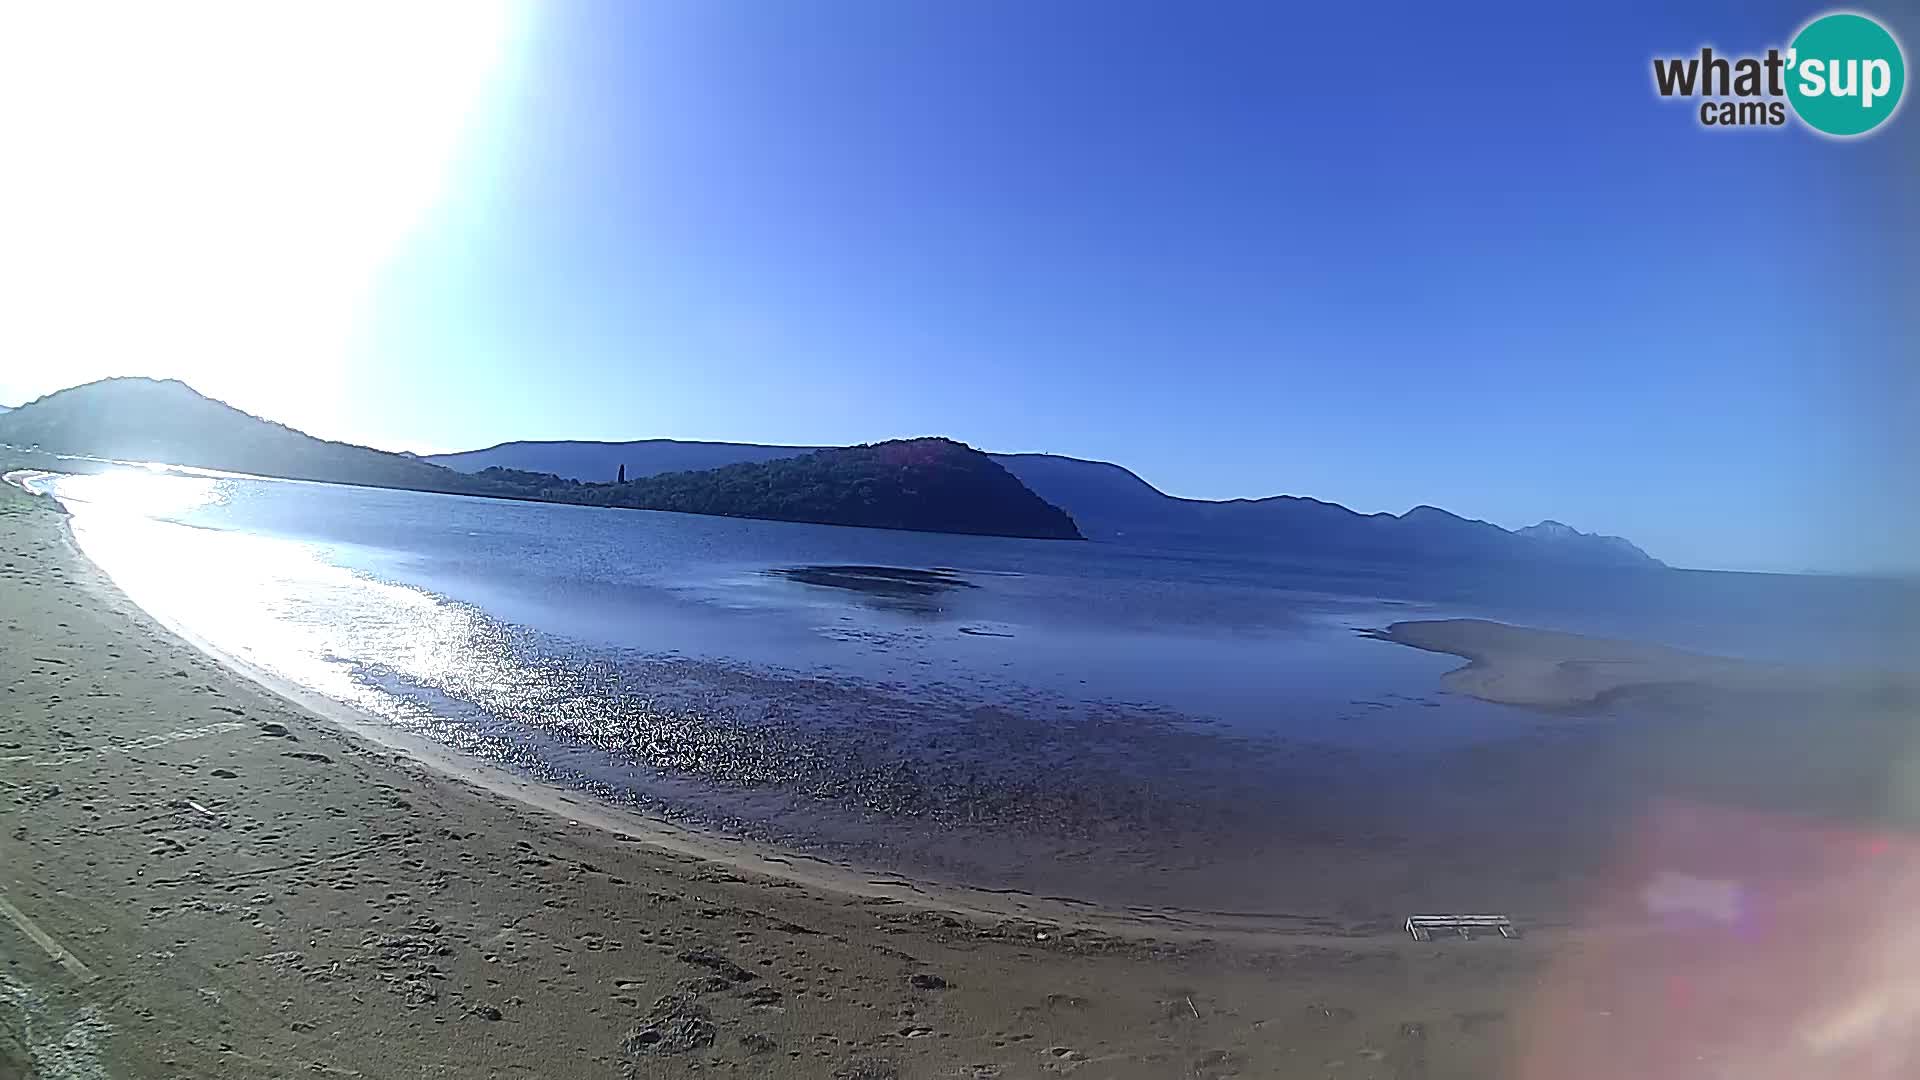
{"x": 203, "y": 879}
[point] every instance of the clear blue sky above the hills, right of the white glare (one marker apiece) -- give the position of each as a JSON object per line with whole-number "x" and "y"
{"x": 1378, "y": 255}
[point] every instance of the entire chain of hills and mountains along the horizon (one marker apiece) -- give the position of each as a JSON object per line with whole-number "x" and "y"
{"x": 934, "y": 483}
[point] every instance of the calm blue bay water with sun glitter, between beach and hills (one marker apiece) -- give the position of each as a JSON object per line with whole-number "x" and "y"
{"x": 1078, "y": 718}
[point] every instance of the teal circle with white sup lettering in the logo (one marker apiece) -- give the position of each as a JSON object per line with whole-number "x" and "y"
{"x": 1846, "y": 74}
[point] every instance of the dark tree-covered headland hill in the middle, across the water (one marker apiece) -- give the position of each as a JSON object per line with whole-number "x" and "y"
{"x": 934, "y": 485}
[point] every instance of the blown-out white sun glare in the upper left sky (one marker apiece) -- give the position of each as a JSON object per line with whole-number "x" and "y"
{"x": 208, "y": 189}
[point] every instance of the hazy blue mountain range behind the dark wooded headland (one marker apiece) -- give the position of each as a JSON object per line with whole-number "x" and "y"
{"x": 1111, "y": 503}
